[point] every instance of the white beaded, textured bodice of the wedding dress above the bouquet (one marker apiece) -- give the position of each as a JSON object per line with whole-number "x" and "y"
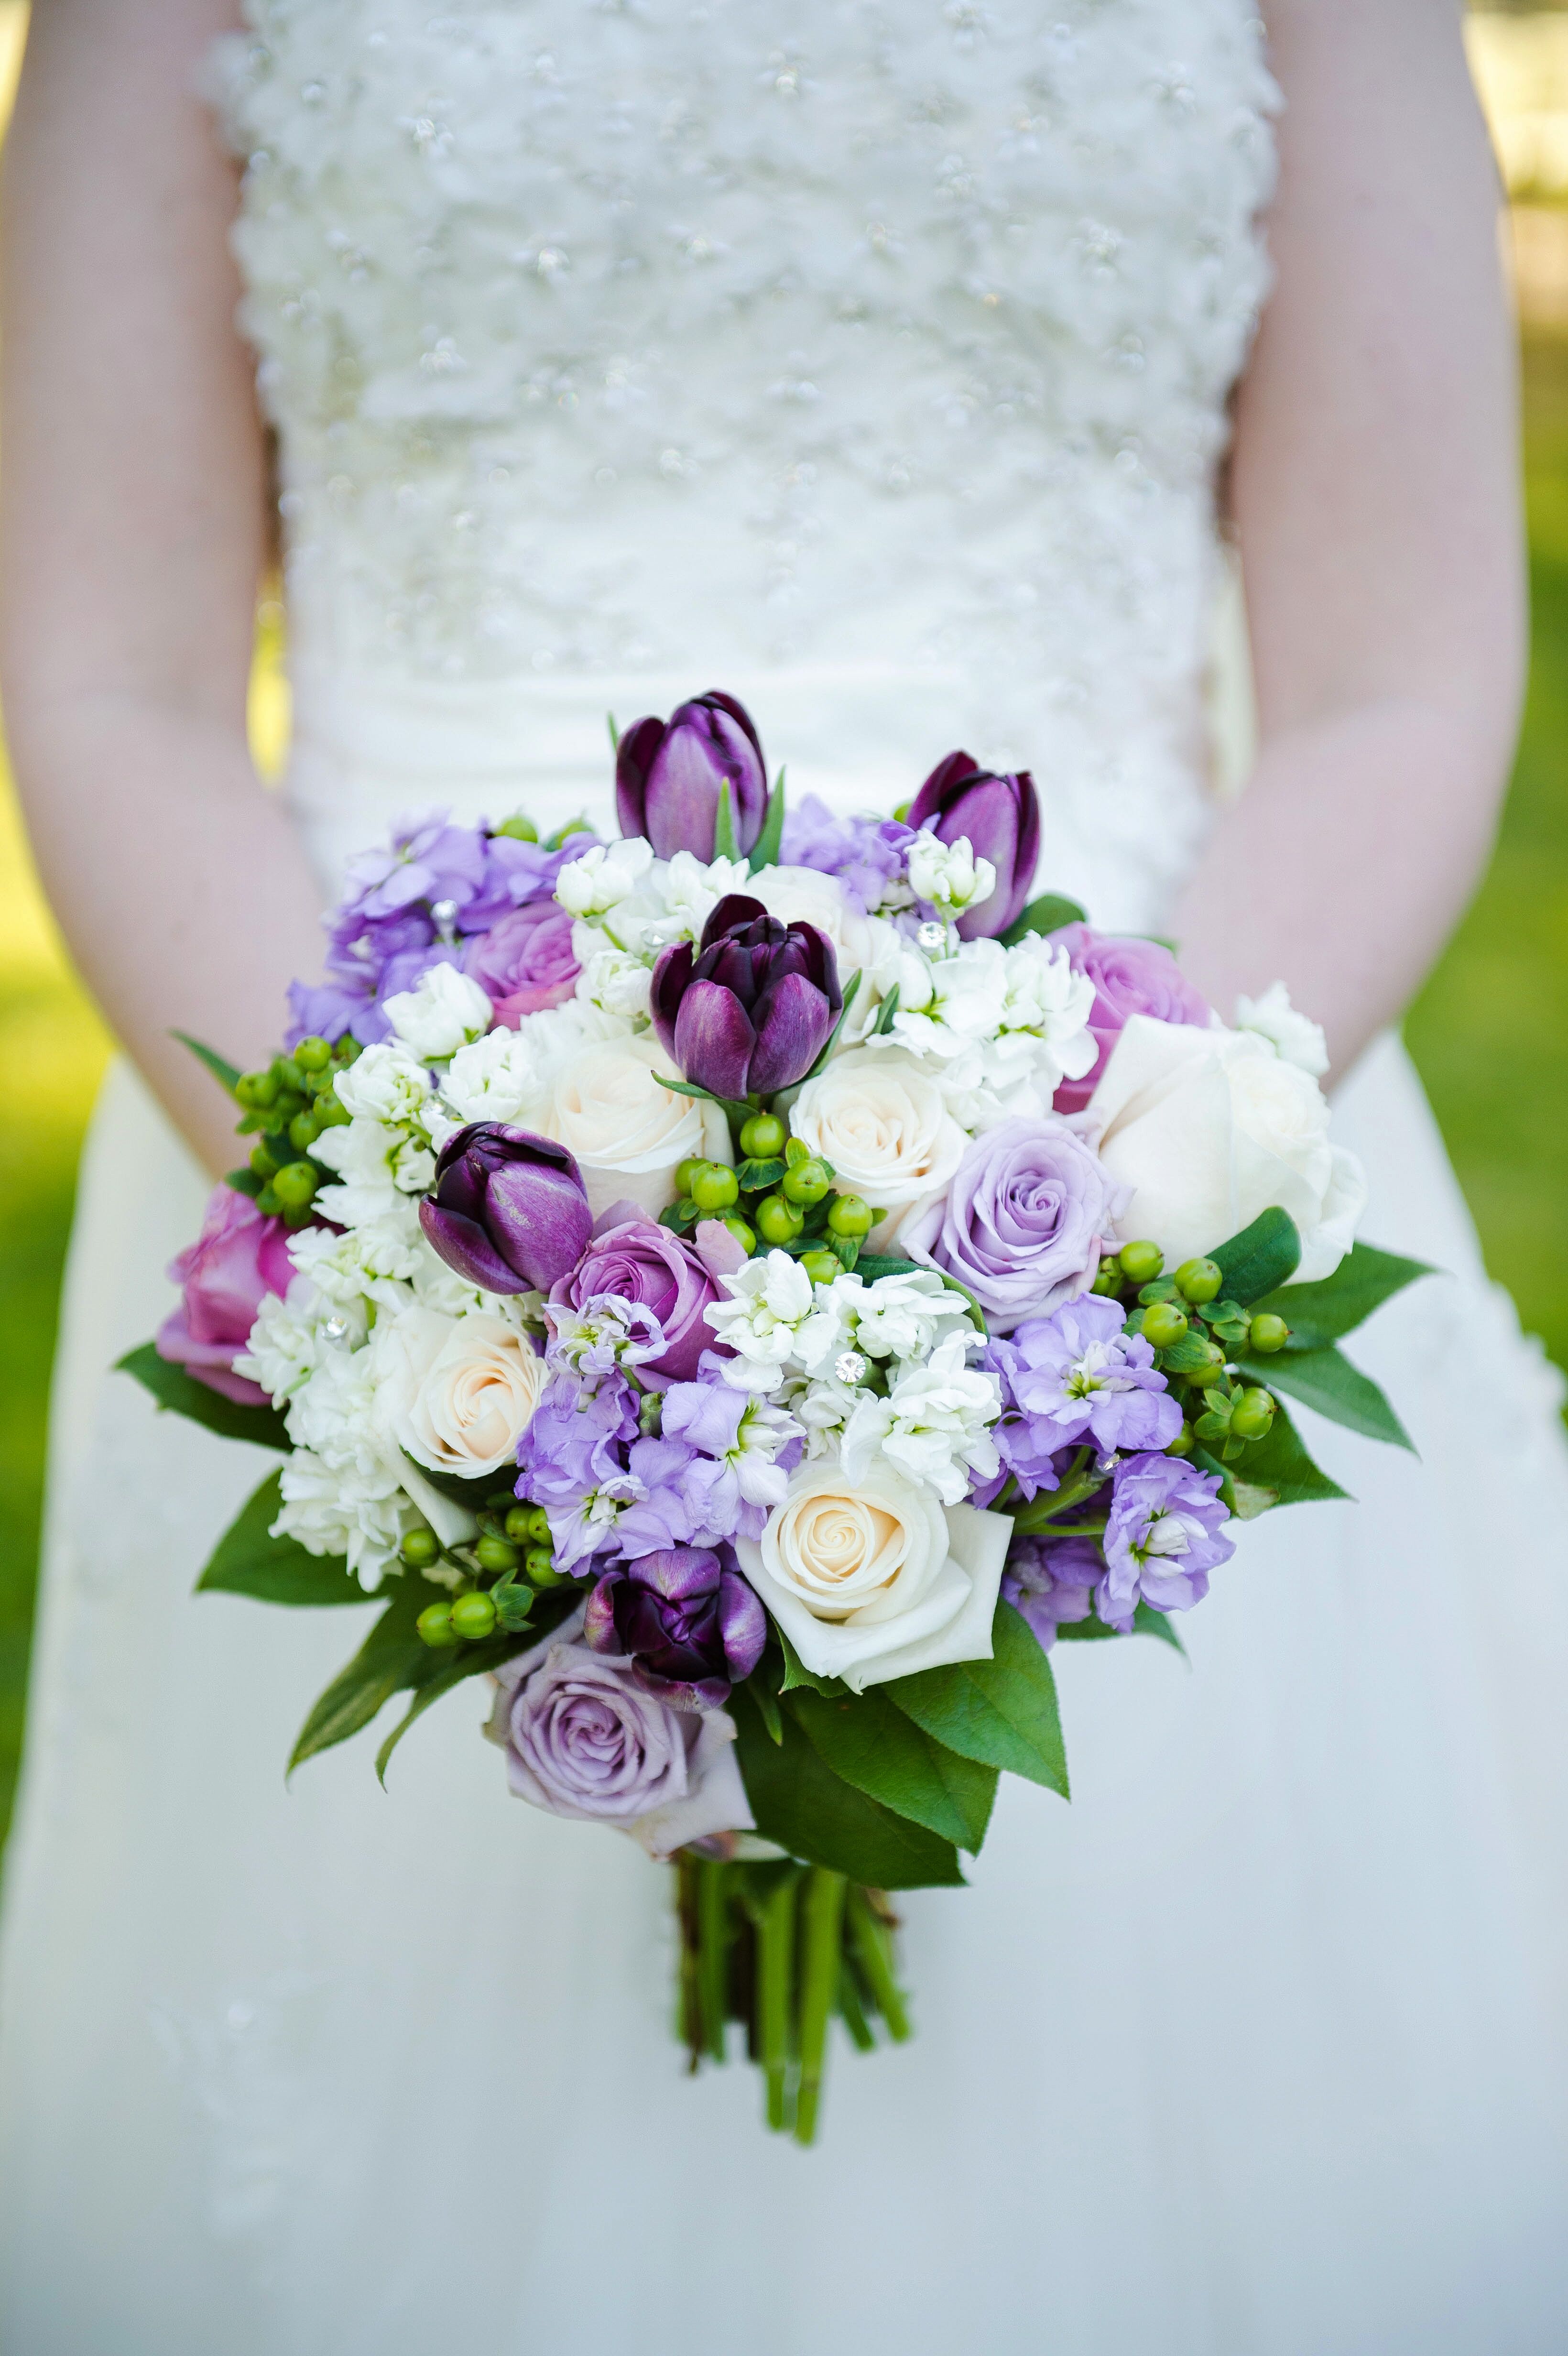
{"x": 879, "y": 352}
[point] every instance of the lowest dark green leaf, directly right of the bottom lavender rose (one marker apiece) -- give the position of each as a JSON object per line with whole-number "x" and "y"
{"x": 816, "y": 1815}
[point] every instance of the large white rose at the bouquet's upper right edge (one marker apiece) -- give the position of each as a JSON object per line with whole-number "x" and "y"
{"x": 1211, "y": 1127}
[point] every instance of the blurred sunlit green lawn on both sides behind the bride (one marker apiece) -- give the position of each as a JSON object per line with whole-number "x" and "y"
{"x": 1489, "y": 1035}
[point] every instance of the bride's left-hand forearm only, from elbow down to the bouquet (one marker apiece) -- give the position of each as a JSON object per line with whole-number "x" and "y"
{"x": 180, "y": 885}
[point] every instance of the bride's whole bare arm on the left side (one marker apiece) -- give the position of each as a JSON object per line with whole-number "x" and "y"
{"x": 131, "y": 548}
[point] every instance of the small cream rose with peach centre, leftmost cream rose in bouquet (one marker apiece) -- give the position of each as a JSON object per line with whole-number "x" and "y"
{"x": 458, "y": 1391}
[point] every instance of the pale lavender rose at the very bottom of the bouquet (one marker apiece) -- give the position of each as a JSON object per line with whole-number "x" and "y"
{"x": 583, "y": 1740}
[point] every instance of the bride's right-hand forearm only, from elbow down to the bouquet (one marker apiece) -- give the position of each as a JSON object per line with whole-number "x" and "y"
{"x": 1346, "y": 866}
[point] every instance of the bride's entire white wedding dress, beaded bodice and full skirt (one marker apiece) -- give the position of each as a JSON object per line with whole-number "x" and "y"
{"x": 870, "y": 362}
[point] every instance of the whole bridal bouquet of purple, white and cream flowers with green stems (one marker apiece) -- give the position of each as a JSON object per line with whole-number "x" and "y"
{"x": 748, "y": 1292}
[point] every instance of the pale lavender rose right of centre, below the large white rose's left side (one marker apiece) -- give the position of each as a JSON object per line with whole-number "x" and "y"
{"x": 1021, "y": 1222}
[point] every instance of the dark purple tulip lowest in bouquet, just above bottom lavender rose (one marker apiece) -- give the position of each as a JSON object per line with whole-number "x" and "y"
{"x": 689, "y": 1622}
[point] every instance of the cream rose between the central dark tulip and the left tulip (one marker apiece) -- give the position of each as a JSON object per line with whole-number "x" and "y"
{"x": 606, "y": 1104}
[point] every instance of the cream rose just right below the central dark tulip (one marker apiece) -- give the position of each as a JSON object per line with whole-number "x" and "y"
{"x": 884, "y": 1125}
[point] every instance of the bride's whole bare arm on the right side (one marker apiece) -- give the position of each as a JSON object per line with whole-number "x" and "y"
{"x": 1378, "y": 512}
